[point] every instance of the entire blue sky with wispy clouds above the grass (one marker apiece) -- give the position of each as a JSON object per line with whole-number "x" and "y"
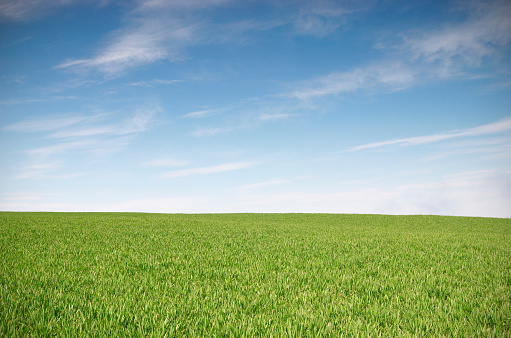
{"x": 212, "y": 106}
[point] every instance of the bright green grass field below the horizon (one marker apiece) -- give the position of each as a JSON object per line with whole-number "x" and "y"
{"x": 124, "y": 274}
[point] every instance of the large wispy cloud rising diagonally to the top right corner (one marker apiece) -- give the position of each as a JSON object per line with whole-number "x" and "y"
{"x": 424, "y": 54}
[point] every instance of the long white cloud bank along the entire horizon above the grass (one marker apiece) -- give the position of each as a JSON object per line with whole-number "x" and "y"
{"x": 476, "y": 193}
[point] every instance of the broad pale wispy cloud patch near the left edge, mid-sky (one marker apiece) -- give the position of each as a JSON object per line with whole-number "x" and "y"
{"x": 65, "y": 137}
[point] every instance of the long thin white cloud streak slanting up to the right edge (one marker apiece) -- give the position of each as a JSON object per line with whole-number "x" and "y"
{"x": 487, "y": 129}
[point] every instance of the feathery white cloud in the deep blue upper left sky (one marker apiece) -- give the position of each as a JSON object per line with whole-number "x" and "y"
{"x": 160, "y": 36}
